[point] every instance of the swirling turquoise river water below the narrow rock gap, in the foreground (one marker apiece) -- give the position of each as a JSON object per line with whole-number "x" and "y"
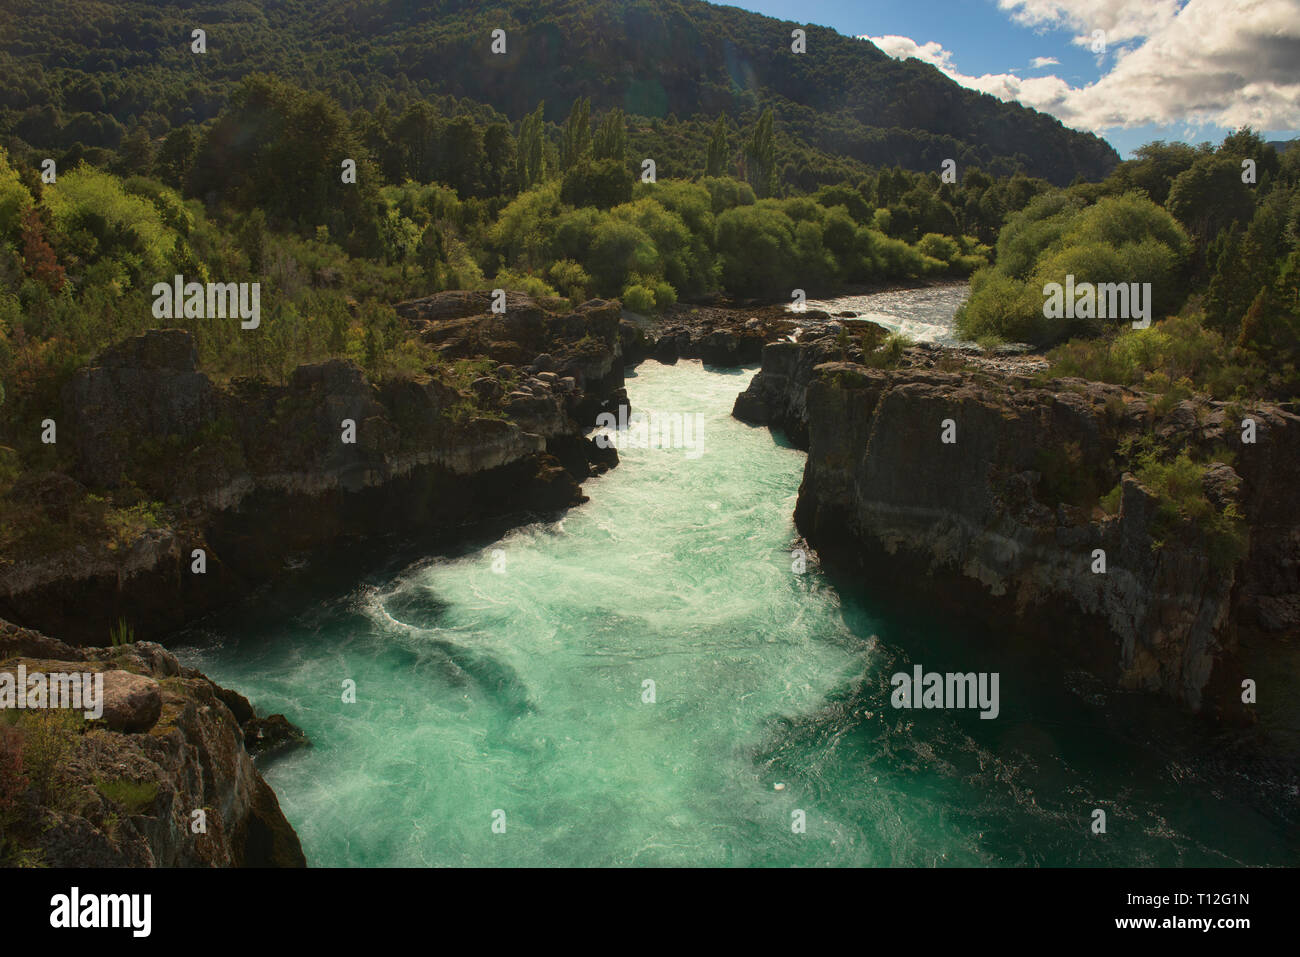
{"x": 522, "y": 691}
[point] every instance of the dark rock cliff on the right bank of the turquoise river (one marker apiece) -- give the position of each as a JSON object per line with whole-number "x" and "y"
{"x": 1003, "y": 523}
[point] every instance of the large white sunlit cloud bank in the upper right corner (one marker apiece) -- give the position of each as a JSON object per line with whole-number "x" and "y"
{"x": 1223, "y": 63}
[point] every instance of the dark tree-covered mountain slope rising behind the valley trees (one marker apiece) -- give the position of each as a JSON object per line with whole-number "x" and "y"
{"x": 89, "y": 73}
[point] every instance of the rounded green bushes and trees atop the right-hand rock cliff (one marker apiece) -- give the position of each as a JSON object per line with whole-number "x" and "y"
{"x": 1220, "y": 249}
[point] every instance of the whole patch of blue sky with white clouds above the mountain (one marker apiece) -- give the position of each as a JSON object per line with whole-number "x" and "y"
{"x": 1173, "y": 70}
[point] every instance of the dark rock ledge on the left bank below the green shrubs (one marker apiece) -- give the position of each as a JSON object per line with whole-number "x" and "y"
{"x": 255, "y": 474}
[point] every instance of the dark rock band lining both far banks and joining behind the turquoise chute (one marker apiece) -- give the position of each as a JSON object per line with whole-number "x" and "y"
{"x": 1003, "y": 523}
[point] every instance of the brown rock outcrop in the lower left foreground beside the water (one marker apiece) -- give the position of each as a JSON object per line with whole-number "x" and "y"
{"x": 124, "y": 791}
